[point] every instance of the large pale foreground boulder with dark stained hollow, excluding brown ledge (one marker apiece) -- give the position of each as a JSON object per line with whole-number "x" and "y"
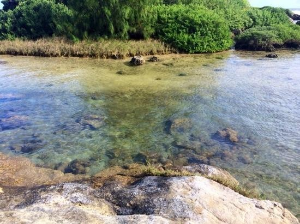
{"x": 149, "y": 200}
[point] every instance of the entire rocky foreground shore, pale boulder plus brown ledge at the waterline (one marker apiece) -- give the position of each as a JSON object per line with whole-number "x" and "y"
{"x": 30, "y": 194}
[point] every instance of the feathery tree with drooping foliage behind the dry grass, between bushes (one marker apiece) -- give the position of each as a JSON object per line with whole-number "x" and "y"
{"x": 114, "y": 18}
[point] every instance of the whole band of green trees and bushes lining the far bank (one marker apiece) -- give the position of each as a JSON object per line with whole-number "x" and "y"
{"x": 192, "y": 26}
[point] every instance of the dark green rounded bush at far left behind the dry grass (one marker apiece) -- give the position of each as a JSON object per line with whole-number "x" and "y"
{"x": 34, "y": 19}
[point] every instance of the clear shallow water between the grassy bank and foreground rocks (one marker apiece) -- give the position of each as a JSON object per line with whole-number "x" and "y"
{"x": 46, "y": 104}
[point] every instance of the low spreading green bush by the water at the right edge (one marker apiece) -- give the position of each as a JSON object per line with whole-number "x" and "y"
{"x": 269, "y": 37}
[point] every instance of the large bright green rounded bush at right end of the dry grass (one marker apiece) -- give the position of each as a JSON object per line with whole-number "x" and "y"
{"x": 192, "y": 29}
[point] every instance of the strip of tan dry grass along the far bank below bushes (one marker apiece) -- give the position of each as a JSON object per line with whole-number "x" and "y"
{"x": 57, "y": 47}
